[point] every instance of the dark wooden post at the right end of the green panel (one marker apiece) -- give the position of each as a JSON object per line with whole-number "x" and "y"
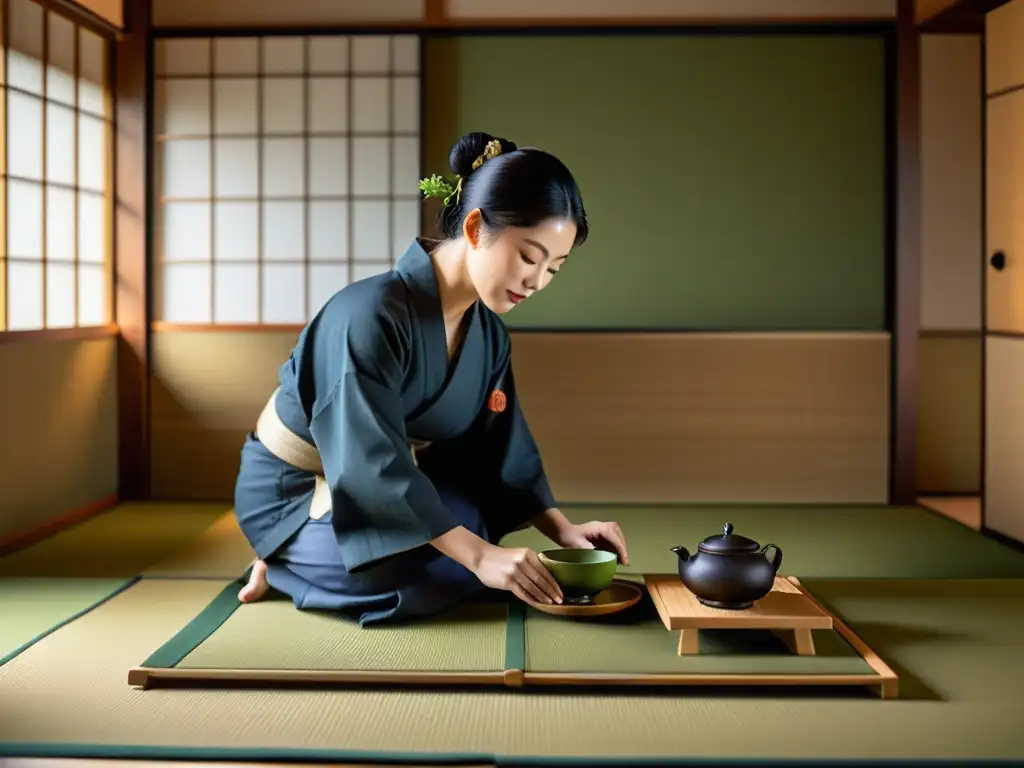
{"x": 906, "y": 305}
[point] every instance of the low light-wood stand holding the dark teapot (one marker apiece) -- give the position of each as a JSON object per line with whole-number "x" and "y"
{"x": 787, "y": 611}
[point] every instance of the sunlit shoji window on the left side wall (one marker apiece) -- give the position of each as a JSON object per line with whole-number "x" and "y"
{"x": 55, "y": 179}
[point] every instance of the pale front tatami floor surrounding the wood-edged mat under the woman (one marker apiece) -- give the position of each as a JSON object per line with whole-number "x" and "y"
{"x": 956, "y": 645}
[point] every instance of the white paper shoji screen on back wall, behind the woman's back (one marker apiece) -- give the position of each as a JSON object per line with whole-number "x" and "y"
{"x": 286, "y": 168}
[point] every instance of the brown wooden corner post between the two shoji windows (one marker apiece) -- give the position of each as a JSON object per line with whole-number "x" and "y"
{"x": 133, "y": 107}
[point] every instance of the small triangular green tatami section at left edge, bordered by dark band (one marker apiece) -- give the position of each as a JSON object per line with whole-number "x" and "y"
{"x": 30, "y": 609}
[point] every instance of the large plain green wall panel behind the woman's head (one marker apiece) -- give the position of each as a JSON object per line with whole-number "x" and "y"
{"x": 734, "y": 183}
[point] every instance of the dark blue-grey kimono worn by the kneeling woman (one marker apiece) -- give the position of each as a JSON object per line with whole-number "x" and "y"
{"x": 369, "y": 375}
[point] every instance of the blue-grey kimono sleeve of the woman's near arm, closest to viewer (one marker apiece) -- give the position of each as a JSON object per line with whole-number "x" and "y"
{"x": 382, "y": 504}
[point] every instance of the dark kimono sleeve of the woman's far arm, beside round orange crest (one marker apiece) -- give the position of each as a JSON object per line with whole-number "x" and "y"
{"x": 524, "y": 483}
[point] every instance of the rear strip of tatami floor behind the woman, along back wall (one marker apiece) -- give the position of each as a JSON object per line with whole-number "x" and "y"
{"x": 204, "y": 541}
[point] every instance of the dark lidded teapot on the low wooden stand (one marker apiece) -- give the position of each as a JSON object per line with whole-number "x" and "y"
{"x": 729, "y": 571}
